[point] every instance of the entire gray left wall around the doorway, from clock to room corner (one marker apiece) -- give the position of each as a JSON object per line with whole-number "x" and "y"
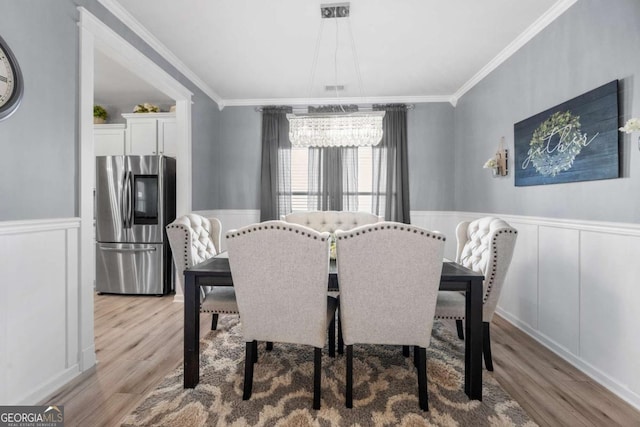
{"x": 39, "y": 166}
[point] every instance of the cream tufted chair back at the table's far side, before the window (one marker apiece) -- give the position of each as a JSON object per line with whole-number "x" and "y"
{"x": 331, "y": 220}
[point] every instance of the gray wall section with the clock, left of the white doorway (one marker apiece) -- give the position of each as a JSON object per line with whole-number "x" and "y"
{"x": 38, "y": 166}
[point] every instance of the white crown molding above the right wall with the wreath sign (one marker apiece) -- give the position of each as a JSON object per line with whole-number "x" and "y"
{"x": 541, "y": 23}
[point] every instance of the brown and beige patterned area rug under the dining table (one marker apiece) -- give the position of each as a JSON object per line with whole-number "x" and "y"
{"x": 385, "y": 388}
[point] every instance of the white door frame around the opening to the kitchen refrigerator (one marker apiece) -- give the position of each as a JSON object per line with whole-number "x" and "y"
{"x": 94, "y": 34}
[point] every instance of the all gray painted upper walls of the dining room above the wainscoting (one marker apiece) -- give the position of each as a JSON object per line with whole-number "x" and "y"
{"x": 594, "y": 42}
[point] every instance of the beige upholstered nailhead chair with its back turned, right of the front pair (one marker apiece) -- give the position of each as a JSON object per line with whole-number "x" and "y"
{"x": 389, "y": 268}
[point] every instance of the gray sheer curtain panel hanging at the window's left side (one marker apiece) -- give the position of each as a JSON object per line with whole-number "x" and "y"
{"x": 275, "y": 194}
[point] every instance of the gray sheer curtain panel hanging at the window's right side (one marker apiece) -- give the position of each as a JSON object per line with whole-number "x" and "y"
{"x": 390, "y": 166}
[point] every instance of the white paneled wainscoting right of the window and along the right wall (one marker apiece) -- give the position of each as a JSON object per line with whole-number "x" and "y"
{"x": 572, "y": 286}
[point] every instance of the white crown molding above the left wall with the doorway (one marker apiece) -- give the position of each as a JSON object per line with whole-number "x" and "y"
{"x": 127, "y": 19}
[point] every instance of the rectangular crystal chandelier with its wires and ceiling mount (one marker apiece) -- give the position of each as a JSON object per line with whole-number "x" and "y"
{"x": 336, "y": 129}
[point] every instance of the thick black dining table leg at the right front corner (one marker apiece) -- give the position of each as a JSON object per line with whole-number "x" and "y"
{"x": 473, "y": 341}
